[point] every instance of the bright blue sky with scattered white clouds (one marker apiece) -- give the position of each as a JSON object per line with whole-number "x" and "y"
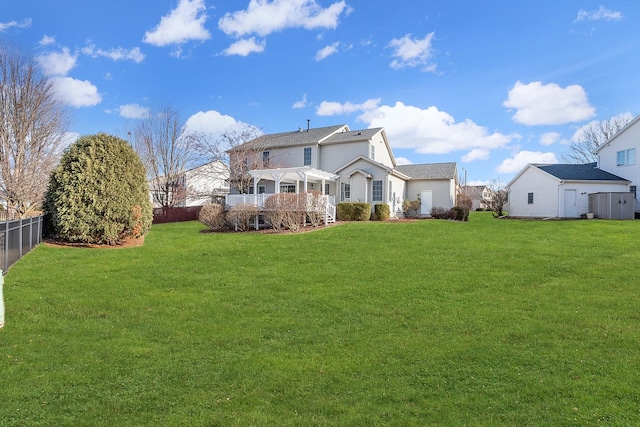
{"x": 490, "y": 85}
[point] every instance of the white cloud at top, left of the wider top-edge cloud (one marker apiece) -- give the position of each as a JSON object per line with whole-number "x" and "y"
{"x": 184, "y": 23}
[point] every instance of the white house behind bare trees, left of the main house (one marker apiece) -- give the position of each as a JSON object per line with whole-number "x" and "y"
{"x": 195, "y": 187}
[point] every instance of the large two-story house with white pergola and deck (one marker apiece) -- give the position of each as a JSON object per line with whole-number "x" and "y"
{"x": 344, "y": 165}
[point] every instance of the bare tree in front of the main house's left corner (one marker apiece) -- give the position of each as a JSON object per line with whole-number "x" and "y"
{"x": 241, "y": 151}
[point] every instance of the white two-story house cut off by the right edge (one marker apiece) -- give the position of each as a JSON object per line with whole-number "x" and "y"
{"x": 618, "y": 156}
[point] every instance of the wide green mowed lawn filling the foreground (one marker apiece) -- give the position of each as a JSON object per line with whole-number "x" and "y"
{"x": 490, "y": 322}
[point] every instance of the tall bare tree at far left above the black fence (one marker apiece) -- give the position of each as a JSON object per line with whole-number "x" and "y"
{"x": 33, "y": 125}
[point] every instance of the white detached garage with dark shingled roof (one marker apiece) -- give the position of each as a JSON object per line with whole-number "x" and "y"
{"x": 560, "y": 190}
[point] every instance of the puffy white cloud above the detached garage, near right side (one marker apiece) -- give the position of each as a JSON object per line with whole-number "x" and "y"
{"x": 538, "y": 104}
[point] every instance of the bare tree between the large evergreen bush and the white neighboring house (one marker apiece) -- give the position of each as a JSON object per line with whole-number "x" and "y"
{"x": 166, "y": 147}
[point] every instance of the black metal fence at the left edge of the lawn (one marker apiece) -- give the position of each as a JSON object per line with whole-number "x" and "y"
{"x": 17, "y": 238}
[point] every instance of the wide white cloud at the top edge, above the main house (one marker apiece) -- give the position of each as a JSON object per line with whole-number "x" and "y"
{"x": 263, "y": 17}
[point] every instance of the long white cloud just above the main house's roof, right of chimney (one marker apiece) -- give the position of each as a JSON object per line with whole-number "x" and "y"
{"x": 427, "y": 131}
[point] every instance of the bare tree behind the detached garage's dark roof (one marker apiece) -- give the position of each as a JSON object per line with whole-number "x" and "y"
{"x": 591, "y": 136}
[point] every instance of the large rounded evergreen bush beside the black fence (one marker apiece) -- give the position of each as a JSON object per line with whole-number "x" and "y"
{"x": 98, "y": 193}
